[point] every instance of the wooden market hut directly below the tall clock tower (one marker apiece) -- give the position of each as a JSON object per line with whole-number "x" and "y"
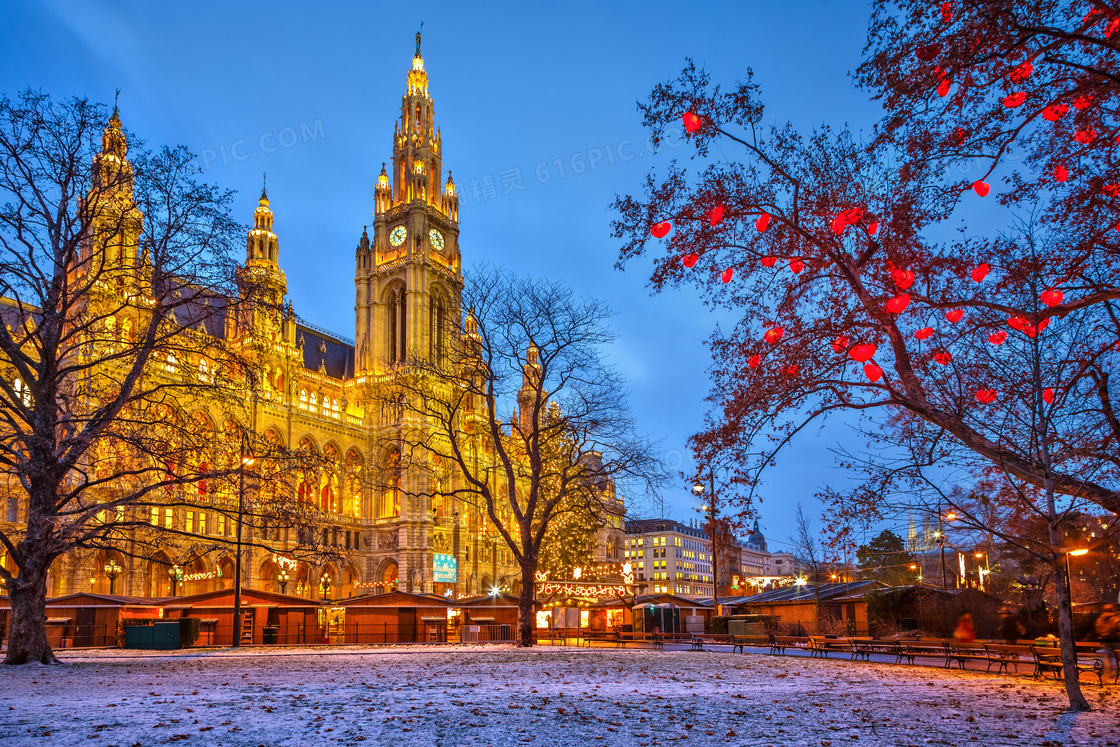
{"x": 394, "y": 618}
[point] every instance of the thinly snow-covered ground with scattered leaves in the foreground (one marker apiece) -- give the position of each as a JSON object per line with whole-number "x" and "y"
{"x": 545, "y": 696}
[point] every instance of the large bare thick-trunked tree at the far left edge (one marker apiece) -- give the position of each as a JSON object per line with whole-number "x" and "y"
{"x": 117, "y": 296}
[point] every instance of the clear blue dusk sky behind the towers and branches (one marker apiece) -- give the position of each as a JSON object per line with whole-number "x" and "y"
{"x": 516, "y": 87}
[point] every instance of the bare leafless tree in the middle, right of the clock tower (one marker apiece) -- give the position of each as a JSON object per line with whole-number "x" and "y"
{"x": 528, "y": 414}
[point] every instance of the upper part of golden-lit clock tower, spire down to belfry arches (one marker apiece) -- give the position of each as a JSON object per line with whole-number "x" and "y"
{"x": 408, "y": 270}
